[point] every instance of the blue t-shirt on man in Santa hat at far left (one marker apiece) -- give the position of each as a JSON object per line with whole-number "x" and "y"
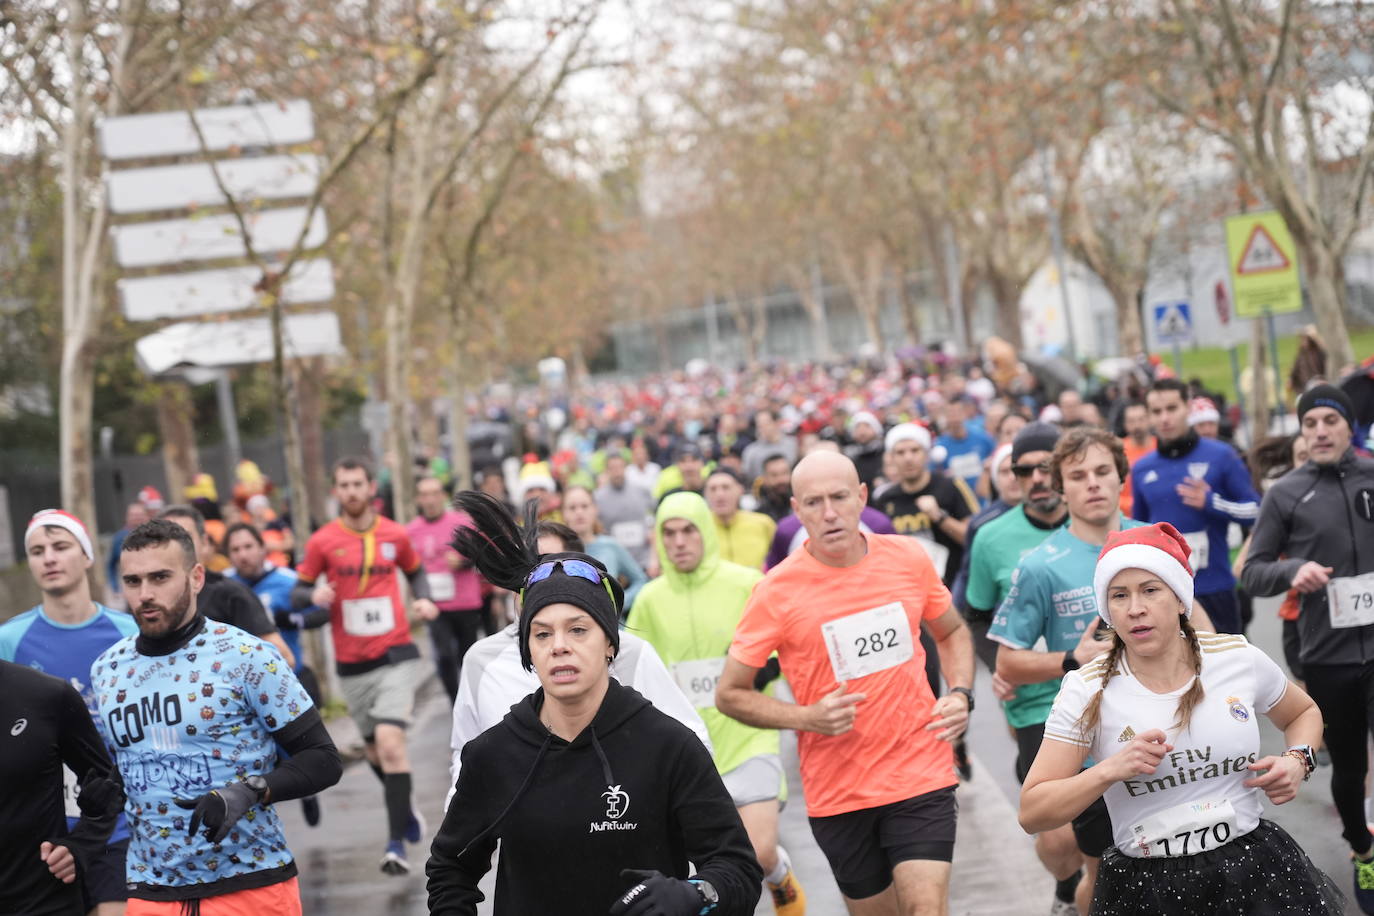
{"x": 67, "y": 652}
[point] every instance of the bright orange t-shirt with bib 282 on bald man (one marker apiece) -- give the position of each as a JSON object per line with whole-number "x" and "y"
{"x": 888, "y": 756}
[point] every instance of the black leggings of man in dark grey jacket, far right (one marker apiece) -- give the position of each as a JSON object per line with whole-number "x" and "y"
{"x": 1346, "y": 697}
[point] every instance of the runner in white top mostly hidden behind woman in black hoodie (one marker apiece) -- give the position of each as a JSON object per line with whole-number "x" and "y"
{"x": 494, "y": 679}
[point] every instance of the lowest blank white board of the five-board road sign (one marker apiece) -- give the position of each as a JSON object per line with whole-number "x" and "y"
{"x": 241, "y": 343}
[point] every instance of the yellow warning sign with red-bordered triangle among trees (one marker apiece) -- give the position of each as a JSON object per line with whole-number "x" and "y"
{"x": 1263, "y": 266}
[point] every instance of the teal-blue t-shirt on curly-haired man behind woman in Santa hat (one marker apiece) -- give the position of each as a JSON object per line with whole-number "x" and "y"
{"x": 1052, "y": 599}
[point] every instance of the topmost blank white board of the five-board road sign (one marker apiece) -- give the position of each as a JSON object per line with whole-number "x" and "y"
{"x": 243, "y": 126}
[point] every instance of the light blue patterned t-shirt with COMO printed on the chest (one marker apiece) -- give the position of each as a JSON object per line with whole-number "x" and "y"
{"x": 183, "y": 724}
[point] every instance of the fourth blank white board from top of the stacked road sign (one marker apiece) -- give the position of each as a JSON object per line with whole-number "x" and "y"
{"x": 181, "y": 296}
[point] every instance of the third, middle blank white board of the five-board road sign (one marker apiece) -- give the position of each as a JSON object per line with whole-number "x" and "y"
{"x": 145, "y": 245}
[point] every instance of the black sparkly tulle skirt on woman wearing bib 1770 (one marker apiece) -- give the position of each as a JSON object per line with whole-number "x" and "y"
{"x": 1262, "y": 874}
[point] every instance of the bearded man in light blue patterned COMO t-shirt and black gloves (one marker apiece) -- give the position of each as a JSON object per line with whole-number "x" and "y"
{"x": 196, "y": 711}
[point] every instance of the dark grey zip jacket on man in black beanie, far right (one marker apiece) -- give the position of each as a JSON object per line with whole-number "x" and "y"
{"x": 1324, "y": 514}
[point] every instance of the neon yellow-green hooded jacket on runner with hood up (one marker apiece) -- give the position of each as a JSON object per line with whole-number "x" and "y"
{"x": 690, "y": 620}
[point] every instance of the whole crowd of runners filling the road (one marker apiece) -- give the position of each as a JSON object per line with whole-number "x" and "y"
{"x": 673, "y": 573}
